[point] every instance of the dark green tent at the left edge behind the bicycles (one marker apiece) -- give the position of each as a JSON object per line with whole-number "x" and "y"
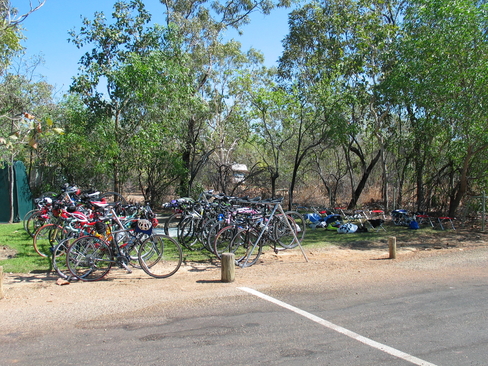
{"x": 22, "y": 195}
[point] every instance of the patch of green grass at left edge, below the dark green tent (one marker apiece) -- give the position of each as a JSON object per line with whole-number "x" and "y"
{"x": 26, "y": 259}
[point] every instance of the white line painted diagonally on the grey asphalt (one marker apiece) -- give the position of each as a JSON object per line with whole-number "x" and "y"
{"x": 325, "y": 323}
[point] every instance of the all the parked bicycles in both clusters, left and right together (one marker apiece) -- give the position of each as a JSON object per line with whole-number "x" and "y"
{"x": 86, "y": 233}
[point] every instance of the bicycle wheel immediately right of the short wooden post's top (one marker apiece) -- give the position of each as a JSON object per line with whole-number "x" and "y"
{"x": 244, "y": 247}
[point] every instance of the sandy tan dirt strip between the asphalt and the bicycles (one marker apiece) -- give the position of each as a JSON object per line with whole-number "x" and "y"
{"x": 35, "y": 300}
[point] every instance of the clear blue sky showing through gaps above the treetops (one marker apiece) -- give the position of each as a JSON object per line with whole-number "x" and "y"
{"x": 47, "y": 33}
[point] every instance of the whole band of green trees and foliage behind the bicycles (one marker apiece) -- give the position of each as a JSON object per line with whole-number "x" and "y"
{"x": 171, "y": 108}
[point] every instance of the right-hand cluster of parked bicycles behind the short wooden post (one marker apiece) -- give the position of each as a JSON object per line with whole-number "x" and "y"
{"x": 242, "y": 226}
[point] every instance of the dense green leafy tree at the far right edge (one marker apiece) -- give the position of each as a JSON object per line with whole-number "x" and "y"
{"x": 443, "y": 58}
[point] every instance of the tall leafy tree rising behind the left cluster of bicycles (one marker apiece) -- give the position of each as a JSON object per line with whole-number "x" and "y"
{"x": 129, "y": 74}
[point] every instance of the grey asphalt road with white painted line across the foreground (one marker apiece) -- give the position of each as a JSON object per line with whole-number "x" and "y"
{"x": 442, "y": 321}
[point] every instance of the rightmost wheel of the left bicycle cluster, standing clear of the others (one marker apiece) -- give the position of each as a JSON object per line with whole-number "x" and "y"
{"x": 160, "y": 256}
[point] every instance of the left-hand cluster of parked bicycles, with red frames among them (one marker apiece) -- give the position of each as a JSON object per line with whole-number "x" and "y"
{"x": 84, "y": 235}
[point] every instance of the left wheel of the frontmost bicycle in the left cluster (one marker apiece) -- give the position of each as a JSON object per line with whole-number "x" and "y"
{"x": 89, "y": 258}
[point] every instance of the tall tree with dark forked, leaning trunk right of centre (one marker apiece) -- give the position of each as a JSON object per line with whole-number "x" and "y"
{"x": 337, "y": 52}
